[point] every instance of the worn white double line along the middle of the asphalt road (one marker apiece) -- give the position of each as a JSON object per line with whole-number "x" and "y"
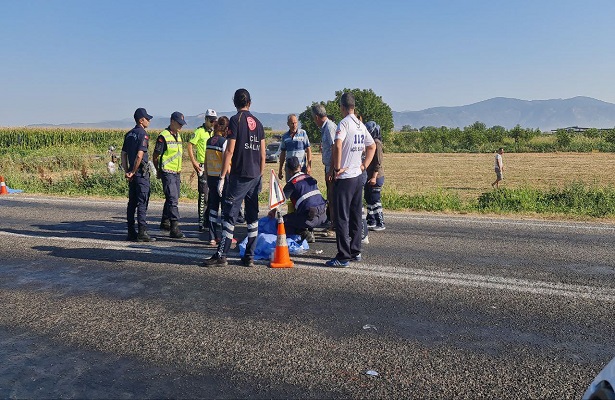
{"x": 372, "y": 270}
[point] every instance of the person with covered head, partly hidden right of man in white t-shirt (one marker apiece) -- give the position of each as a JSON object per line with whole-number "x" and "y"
{"x": 375, "y": 181}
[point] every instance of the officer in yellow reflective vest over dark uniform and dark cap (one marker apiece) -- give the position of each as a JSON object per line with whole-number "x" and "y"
{"x": 168, "y": 161}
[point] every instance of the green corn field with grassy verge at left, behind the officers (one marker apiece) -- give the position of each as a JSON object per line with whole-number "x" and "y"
{"x": 70, "y": 161}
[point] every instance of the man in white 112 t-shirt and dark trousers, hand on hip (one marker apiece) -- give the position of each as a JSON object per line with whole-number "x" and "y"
{"x": 351, "y": 139}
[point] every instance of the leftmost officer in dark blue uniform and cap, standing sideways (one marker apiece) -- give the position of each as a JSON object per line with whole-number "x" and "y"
{"x": 136, "y": 167}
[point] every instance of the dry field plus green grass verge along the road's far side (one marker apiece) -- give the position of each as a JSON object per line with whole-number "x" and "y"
{"x": 458, "y": 182}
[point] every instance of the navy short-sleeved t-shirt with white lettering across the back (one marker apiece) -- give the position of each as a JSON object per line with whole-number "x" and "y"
{"x": 248, "y": 132}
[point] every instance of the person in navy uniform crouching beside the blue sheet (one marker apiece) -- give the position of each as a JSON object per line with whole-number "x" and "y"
{"x": 306, "y": 200}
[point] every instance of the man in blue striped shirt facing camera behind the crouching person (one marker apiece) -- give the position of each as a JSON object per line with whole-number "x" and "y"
{"x": 295, "y": 143}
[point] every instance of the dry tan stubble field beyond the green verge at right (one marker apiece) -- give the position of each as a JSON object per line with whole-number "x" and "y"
{"x": 469, "y": 175}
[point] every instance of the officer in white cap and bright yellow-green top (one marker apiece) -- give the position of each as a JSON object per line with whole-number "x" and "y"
{"x": 199, "y": 140}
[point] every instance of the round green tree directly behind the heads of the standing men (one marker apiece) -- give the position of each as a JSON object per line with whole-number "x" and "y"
{"x": 368, "y": 105}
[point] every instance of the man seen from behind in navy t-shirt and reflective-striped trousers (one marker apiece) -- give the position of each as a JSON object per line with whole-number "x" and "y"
{"x": 244, "y": 162}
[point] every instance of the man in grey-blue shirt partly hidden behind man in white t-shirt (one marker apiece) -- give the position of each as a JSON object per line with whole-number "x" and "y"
{"x": 327, "y": 135}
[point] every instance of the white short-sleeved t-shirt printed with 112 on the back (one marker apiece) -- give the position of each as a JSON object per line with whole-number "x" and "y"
{"x": 354, "y": 136}
